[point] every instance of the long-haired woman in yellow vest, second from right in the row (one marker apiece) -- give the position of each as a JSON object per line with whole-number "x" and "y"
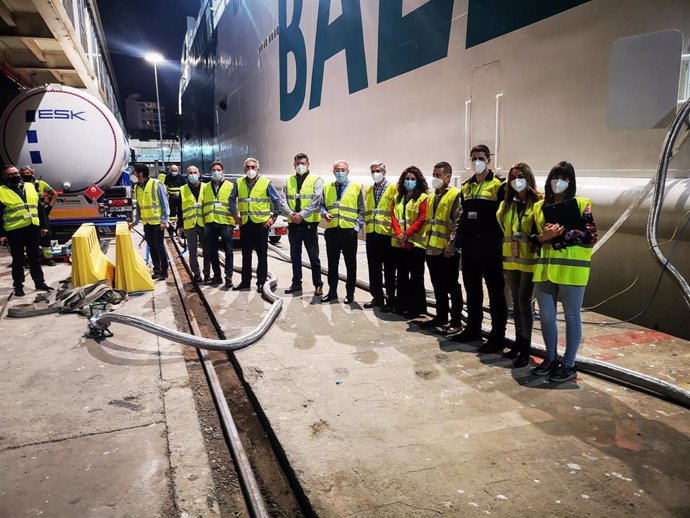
{"x": 516, "y": 218}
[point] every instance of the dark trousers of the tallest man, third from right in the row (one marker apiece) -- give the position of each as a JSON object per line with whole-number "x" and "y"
{"x": 483, "y": 259}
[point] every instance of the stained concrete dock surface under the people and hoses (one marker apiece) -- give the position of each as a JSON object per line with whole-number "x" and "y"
{"x": 376, "y": 417}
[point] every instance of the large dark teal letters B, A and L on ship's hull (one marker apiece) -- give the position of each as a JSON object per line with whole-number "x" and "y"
{"x": 405, "y": 44}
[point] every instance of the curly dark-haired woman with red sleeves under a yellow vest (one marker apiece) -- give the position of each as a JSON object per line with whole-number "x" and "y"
{"x": 408, "y": 216}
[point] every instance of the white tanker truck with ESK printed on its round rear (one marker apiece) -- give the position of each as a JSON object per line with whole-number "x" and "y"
{"x": 75, "y": 144}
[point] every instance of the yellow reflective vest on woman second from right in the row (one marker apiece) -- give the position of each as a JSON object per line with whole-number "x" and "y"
{"x": 517, "y": 227}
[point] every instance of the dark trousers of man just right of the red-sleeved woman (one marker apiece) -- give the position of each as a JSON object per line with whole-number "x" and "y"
{"x": 444, "y": 273}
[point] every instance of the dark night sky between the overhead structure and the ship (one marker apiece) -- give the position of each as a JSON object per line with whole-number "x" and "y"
{"x": 135, "y": 27}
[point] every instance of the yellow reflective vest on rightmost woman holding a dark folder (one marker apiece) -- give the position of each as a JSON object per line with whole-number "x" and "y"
{"x": 569, "y": 265}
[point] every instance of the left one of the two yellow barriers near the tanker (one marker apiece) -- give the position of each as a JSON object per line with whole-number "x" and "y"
{"x": 89, "y": 263}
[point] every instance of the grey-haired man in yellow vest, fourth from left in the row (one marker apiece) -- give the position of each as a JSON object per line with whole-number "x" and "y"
{"x": 259, "y": 206}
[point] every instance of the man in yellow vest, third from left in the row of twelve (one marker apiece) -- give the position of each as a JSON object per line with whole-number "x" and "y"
{"x": 219, "y": 211}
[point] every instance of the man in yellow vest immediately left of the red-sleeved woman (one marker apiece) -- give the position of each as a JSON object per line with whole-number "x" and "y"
{"x": 377, "y": 218}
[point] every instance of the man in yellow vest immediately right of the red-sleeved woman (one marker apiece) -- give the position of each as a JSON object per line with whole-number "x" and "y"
{"x": 442, "y": 258}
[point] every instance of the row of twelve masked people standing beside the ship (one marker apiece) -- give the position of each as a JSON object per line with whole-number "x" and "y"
{"x": 491, "y": 229}
